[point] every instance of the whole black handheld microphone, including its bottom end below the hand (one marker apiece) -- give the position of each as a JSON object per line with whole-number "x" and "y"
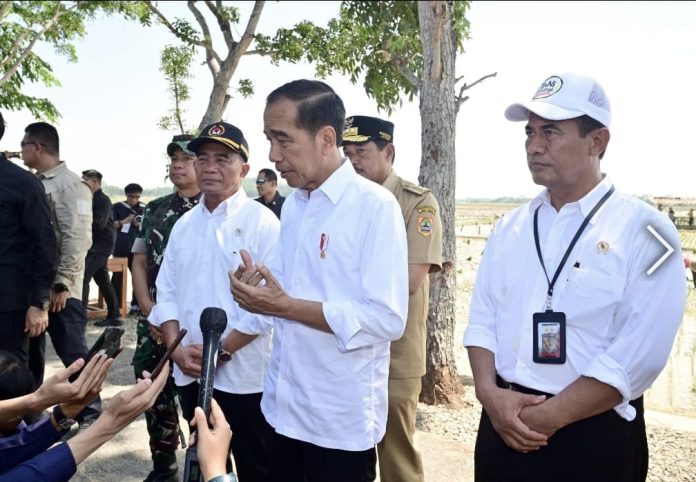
{"x": 213, "y": 323}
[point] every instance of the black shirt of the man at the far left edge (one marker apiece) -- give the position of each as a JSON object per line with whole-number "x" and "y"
{"x": 27, "y": 240}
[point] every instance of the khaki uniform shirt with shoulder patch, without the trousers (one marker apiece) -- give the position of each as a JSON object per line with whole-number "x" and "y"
{"x": 424, "y": 232}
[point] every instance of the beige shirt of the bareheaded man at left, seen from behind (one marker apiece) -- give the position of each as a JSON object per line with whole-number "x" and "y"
{"x": 70, "y": 202}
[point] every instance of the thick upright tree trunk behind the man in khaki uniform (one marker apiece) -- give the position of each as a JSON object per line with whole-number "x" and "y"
{"x": 441, "y": 383}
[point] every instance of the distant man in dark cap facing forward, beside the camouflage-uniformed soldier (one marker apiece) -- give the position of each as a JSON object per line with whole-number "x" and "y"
{"x": 127, "y": 216}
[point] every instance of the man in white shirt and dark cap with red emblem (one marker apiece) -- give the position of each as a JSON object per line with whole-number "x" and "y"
{"x": 204, "y": 245}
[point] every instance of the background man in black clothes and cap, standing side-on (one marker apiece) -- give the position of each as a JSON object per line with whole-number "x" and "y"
{"x": 103, "y": 239}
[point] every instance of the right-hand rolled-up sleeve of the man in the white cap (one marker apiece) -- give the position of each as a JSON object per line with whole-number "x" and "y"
{"x": 648, "y": 317}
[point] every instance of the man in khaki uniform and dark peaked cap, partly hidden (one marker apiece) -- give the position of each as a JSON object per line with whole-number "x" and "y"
{"x": 368, "y": 143}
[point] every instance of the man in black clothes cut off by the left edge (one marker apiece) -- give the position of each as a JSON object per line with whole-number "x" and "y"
{"x": 27, "y": 257}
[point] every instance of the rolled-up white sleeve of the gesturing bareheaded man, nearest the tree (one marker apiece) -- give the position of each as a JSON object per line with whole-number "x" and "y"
{"x": 380, "y": 315}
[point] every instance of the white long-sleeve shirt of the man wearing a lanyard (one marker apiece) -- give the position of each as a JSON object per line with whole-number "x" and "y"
{"x": 620, "y": 321}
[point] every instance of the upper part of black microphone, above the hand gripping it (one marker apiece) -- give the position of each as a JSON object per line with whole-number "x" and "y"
{"x": 213, "y": 323}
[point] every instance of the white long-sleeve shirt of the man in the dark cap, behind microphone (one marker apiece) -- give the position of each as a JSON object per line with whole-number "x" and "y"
{"x": 203, "y": 248}
